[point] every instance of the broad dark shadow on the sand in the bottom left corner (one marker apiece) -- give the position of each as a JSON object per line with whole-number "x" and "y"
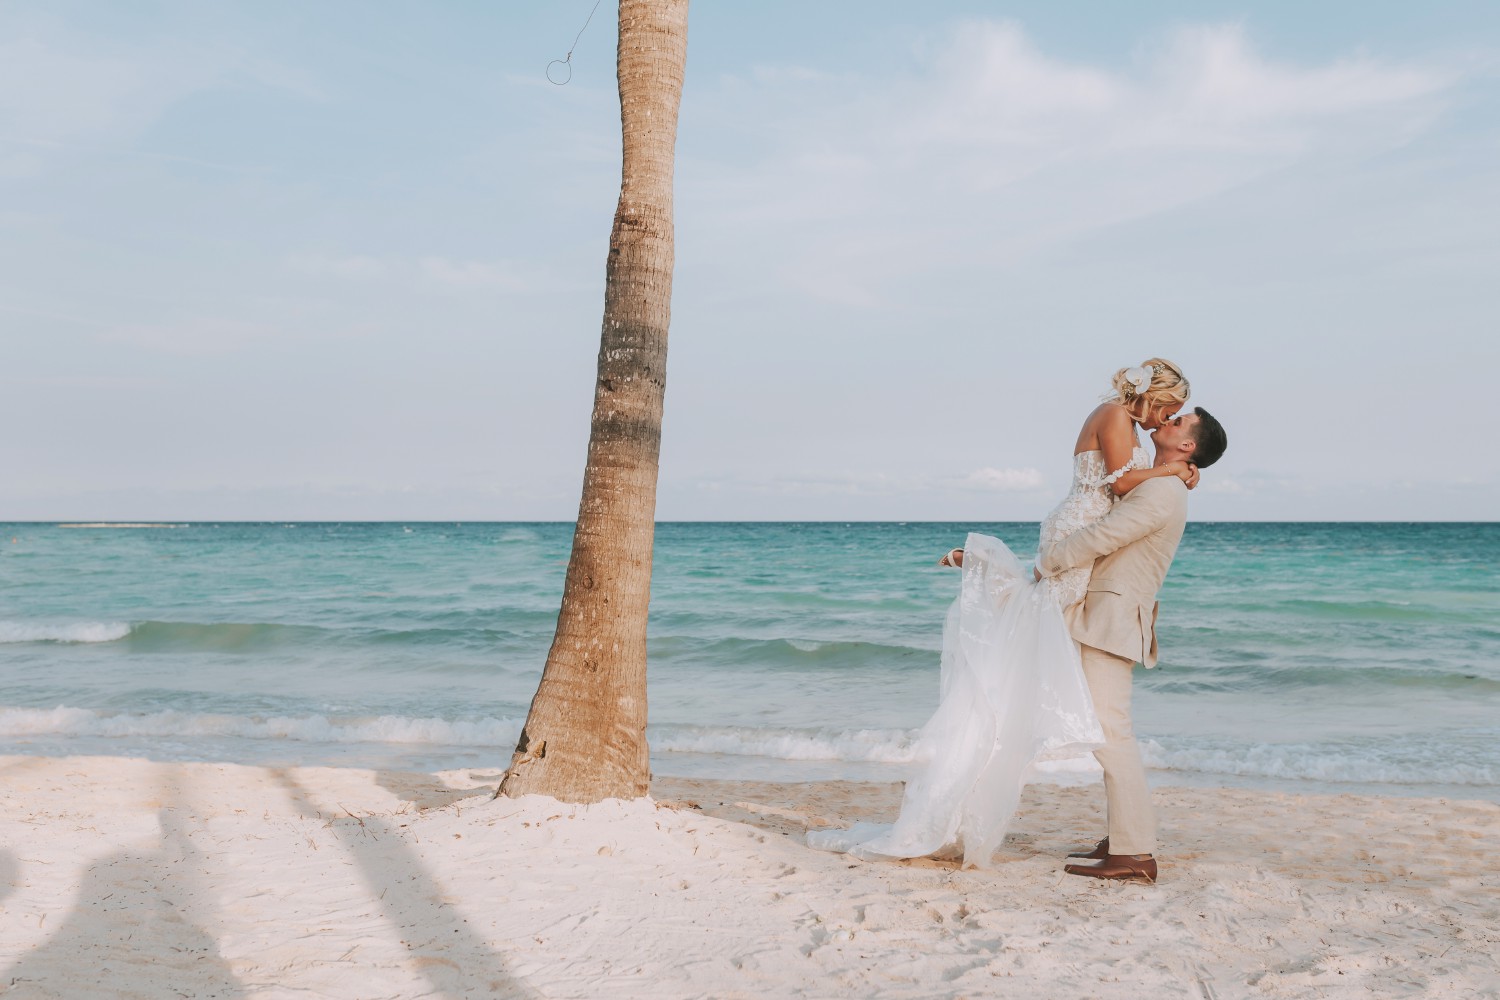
{"x": 131, "y": 932}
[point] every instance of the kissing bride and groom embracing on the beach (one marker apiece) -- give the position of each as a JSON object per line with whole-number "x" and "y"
{"x": 1037, "y": 663}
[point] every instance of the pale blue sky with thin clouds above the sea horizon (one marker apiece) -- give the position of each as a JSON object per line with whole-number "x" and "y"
{"x": 346, "y": 260}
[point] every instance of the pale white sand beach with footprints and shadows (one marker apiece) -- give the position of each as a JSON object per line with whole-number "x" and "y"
{"x": 139, "y": 879}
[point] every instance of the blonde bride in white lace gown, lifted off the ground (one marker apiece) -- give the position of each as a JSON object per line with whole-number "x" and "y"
{"x": 1012, "y": 687}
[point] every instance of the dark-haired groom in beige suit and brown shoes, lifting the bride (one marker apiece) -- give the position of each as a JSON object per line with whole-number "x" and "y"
{"x": 1117, "y": 627}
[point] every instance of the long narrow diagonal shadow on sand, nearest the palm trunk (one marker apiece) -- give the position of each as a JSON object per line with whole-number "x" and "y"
{"x": 445, "y": 950}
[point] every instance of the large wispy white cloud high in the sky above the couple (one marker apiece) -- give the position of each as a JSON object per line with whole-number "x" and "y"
{"x": 995, "y": 151}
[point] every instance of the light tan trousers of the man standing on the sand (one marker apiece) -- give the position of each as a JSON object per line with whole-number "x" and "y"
{"x": 1132, "y": 821}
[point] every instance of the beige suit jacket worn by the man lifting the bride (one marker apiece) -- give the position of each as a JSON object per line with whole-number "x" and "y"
{"x": 1130, "y": 548}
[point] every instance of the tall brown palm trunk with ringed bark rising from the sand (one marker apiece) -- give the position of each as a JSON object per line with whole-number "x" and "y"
{"x": 584, "y": 740}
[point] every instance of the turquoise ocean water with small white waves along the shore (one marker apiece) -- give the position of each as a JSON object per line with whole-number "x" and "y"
{"x": 1360, "y": 657}
